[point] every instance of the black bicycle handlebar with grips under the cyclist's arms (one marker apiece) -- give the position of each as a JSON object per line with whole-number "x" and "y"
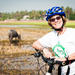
{"x": 50, "y": 61}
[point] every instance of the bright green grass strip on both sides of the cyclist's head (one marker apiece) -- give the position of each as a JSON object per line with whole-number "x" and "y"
{"x": 41, "y": 24}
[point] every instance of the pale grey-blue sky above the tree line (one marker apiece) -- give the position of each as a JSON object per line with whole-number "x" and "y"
{"x": 22, "y": 5}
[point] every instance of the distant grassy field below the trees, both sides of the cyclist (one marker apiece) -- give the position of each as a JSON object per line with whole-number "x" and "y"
{"x": 68, "y": 24}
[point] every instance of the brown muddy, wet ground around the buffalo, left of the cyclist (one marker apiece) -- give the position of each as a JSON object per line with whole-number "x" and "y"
{"x": 16, "y": 58}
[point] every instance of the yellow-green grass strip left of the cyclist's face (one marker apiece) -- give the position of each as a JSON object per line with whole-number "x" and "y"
{"x": 23, "y": 22}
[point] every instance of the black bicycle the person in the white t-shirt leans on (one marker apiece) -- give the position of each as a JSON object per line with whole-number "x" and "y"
{"x": 50, "y": 61}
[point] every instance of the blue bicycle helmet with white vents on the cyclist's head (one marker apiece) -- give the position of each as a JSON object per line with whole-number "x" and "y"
{"x": 53, "y": 11}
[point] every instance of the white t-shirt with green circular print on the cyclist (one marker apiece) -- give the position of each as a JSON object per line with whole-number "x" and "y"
{"x": 62, "y": 45}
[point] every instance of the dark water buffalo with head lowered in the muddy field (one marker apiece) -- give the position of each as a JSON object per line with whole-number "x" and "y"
{"x": 13, "y": 34}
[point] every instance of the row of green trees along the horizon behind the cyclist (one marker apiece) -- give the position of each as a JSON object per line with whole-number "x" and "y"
{"x": 35, "y": 15}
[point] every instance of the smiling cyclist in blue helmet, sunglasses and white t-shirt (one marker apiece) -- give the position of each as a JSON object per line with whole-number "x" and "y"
{"x": 61, "y": 40}
